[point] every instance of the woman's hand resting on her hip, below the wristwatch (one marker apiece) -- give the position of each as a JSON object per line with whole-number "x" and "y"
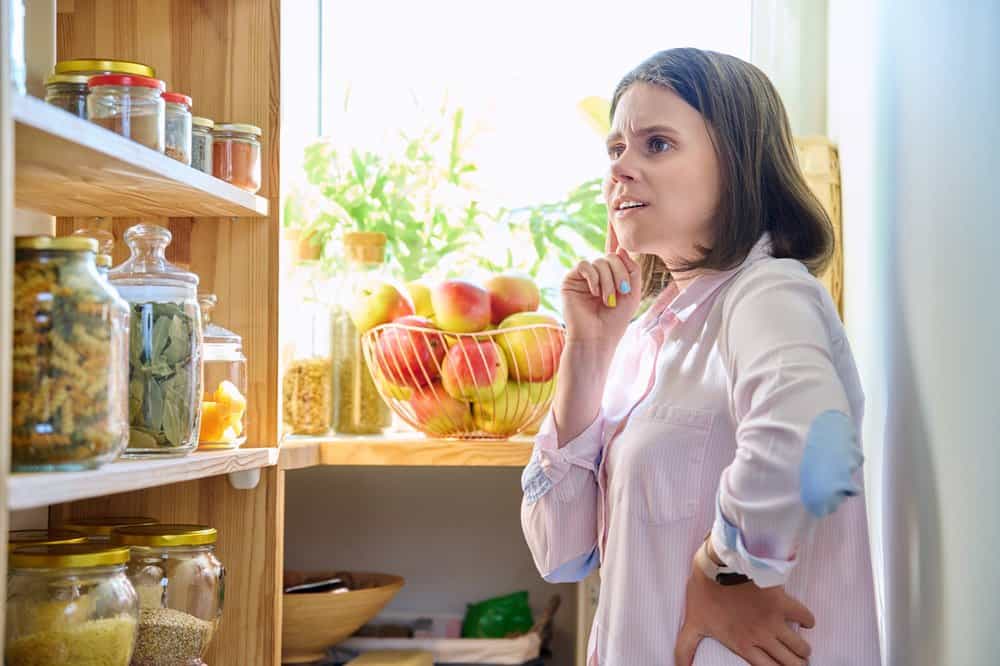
{"x": 749, "y": 620}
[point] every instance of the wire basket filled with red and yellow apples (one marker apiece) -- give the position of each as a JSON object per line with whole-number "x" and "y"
{"x": 487, "y": 385}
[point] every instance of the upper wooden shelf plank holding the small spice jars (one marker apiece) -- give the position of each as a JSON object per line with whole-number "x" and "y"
{"x": 67, "y": 166}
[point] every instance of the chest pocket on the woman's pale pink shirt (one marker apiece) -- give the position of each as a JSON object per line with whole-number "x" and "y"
{"x": 666, "y": 463}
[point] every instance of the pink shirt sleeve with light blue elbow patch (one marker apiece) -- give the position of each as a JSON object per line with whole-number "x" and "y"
{"x": 797, "y": 452}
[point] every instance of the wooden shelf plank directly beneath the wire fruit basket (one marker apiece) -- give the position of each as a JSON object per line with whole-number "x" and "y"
{"x": 407, "y": 449}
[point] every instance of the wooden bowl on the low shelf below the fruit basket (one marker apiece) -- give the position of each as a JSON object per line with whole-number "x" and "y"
{"x": 313, "y": 622}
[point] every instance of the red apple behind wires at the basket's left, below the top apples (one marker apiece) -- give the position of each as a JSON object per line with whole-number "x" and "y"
{"x": 410, "y": 357}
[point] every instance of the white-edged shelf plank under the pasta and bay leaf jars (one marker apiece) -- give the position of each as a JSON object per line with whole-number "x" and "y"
{"x": 26, "y": 491}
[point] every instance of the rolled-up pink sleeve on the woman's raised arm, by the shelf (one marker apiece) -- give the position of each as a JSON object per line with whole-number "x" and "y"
{"x": 559, "y": 508}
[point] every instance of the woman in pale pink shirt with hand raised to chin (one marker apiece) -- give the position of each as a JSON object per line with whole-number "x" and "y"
{"x": 730, "y": 408}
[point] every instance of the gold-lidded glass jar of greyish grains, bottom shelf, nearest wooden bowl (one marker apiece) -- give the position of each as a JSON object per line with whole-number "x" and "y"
{"x": 181, "y": 587}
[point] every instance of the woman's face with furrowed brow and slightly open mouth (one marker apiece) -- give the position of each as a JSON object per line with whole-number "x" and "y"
{"x": 663, "y": 159}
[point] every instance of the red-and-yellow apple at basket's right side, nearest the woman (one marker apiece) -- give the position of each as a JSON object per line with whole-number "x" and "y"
{"x": 532, "y": 354}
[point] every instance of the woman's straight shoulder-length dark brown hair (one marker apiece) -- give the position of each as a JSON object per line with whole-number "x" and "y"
{"x": 763, "y": 188}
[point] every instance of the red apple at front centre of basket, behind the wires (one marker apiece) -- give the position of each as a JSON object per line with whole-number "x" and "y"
{"x": 474, "y": 370}
